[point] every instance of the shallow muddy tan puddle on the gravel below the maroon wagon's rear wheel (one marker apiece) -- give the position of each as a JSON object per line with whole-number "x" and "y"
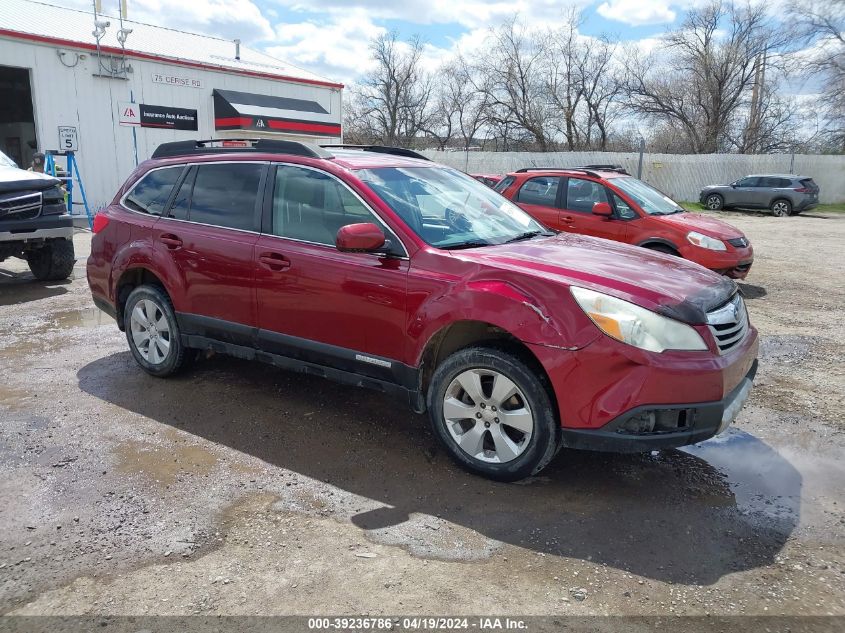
{"x": 163, "y": 464}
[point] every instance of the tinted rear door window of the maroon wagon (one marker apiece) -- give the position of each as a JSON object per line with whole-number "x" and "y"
{"x": 225, "y": 194}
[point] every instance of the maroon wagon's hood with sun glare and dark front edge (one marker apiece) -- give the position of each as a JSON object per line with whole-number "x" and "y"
{"x": 666, "y": 284}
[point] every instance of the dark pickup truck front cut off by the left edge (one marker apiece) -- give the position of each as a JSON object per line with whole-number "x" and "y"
{"x": 34, "y": 224}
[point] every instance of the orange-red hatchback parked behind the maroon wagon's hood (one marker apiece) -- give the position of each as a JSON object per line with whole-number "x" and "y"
{"x": 611, "y": 204}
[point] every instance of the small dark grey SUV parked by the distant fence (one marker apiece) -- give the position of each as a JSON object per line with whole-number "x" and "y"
{"x": 784, "y": 194}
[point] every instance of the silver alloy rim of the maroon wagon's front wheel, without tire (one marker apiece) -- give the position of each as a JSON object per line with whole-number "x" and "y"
{"x": 488, "y": 416}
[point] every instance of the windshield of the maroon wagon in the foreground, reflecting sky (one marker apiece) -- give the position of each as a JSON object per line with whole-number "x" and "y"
{"x": 449, "y": 209}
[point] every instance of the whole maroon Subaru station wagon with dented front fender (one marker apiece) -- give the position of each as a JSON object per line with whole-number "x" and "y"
{"x": 376, "y": 268}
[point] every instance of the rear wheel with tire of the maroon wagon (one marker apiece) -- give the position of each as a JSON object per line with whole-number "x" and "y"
{"x": 153, "y": 332}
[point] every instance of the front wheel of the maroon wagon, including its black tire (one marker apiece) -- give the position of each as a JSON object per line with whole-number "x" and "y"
{"x": 488, "y": 434}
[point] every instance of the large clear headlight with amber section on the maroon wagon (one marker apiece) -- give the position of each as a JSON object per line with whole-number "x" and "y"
{"x": 635, "y": 325}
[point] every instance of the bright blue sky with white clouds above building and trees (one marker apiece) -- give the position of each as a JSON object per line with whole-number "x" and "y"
{"x": 330, "y": 37}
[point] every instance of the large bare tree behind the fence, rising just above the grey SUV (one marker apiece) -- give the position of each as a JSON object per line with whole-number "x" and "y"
{"x": 699, "y": 81}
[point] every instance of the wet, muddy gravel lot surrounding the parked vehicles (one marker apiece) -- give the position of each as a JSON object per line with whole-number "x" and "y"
{"x": 241, "y": 489}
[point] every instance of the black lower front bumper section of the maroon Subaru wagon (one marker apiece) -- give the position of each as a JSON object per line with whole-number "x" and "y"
{"x": 700, "y": 421}
